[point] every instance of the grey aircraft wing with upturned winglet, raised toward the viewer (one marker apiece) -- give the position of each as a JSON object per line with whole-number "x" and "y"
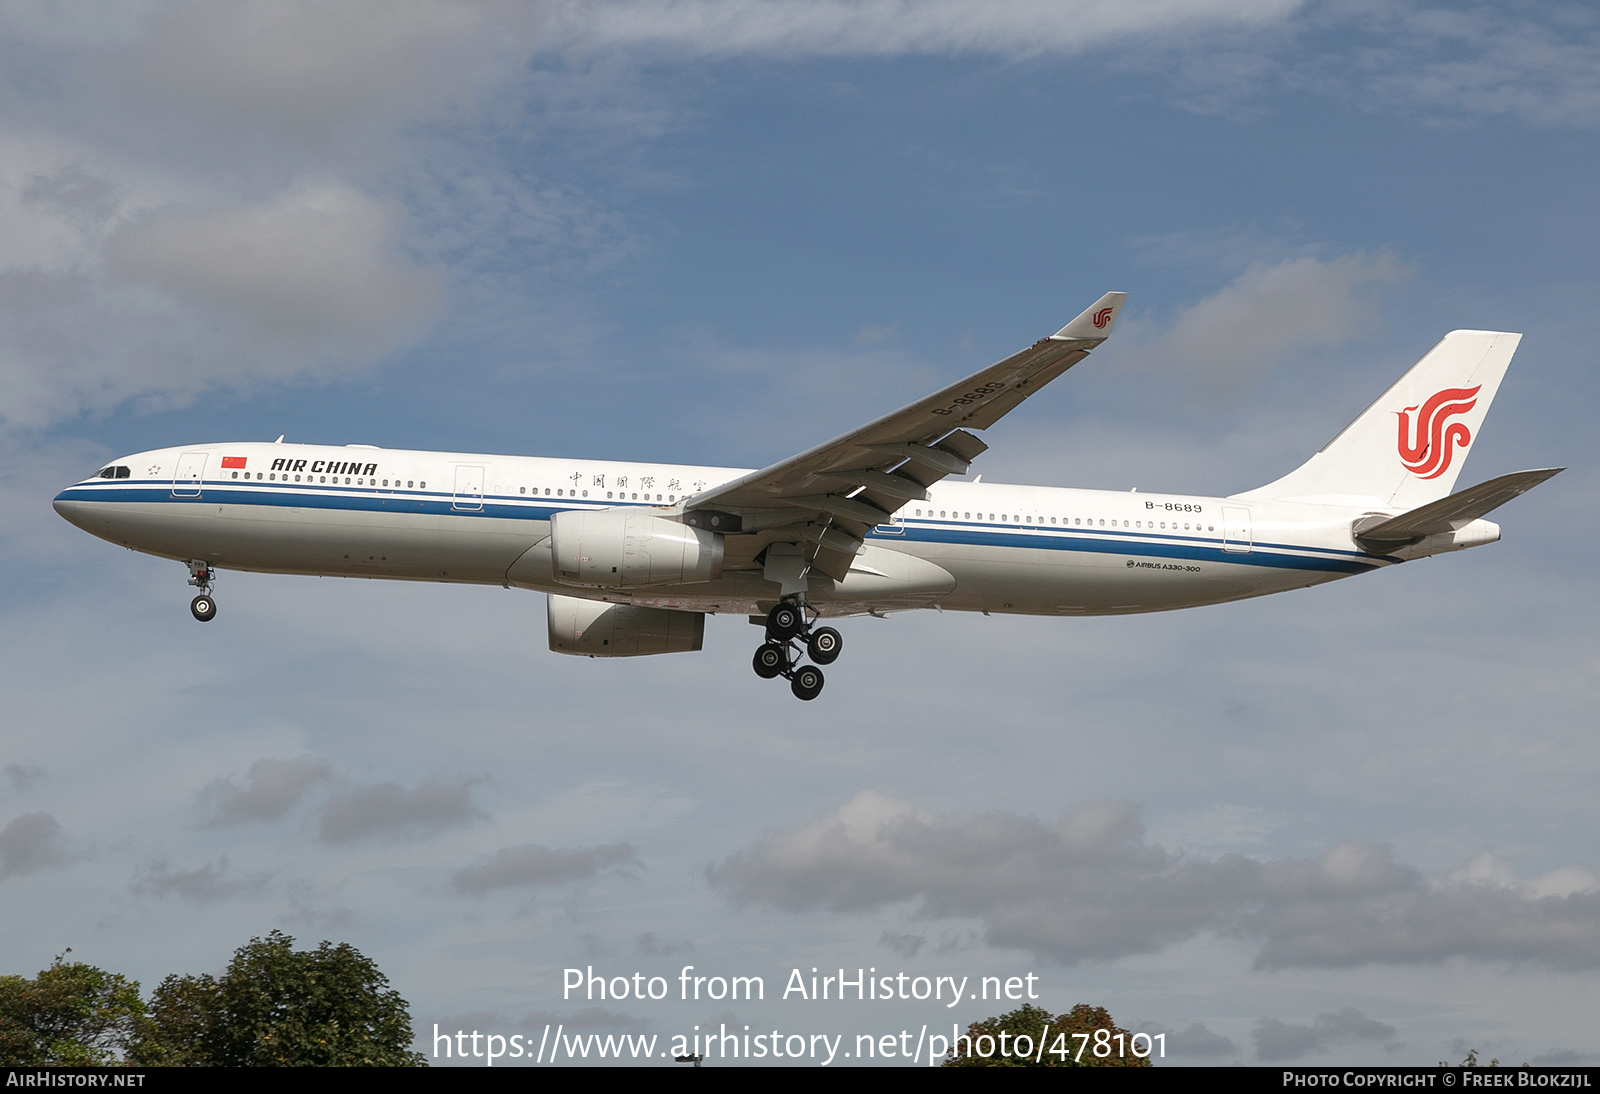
{"x": 831, "y": 495}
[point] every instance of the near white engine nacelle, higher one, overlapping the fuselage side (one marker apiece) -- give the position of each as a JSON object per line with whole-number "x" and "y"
{"x": 631, "y": 549}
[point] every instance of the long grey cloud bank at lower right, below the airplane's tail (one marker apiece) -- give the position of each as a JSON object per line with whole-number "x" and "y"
{"x": 1092, "y": 888}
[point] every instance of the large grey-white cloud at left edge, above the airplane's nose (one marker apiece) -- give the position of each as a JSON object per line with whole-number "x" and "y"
{"x": 108, "y": 301}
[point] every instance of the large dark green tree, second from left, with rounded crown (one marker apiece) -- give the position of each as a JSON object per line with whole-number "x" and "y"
{"x": 276, "y": 1007}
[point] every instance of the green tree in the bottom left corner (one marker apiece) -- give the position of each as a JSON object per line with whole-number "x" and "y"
{"x": 71, "y": 1015}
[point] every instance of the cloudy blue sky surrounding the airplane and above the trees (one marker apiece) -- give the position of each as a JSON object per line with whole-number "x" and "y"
{"x": 721, "y": 233}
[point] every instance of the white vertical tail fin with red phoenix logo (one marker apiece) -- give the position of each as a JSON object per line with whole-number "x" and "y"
{"x": 1407, "y": 449}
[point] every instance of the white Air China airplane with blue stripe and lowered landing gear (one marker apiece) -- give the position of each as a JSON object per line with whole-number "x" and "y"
{"x": 633, "y": 556}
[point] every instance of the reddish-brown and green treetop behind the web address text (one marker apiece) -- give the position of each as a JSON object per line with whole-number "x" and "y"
{"x": 994, "y": 1042}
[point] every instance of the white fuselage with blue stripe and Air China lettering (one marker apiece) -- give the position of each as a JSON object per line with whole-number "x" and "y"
{"x": 460, "y": 517}
